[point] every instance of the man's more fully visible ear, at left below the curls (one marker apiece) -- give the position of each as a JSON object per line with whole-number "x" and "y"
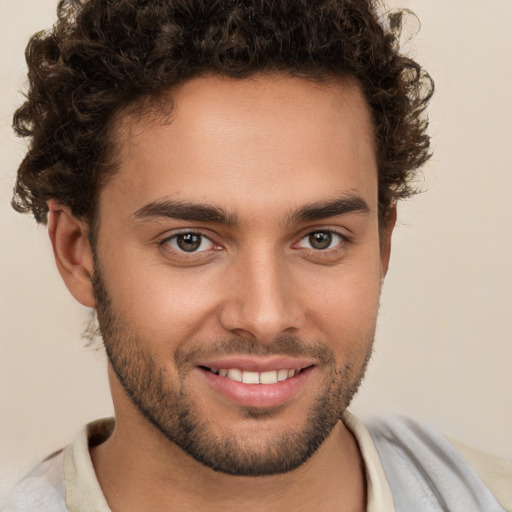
{"x": 72, "y": 252}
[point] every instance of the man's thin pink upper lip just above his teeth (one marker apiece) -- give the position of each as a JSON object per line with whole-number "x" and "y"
{"x": 258, "y": 364}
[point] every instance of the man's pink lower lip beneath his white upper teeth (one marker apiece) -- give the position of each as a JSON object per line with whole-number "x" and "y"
{"x": 258, "y": 395}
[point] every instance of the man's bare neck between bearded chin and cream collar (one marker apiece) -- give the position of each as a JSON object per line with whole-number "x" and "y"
{"x": 152, "y": 474}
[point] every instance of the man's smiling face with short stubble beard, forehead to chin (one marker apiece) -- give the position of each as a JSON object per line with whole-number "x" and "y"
{"x": 238, "y": 265}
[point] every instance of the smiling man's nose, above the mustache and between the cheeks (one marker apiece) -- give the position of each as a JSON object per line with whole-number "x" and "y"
{"x": 263, "y": 300}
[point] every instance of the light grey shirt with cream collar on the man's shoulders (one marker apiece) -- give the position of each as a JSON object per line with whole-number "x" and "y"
{"x": 408, "y": 467}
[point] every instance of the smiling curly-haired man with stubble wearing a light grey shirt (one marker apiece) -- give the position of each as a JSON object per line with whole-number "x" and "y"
{"x": 220, "y": 183}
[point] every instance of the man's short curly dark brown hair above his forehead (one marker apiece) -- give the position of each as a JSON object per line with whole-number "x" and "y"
{"x": 103, "y": 56}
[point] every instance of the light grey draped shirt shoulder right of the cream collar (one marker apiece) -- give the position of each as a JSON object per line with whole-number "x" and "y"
{"x": 423, "y": 465}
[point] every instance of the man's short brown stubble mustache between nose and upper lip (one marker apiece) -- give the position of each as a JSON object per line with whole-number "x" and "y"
{"x": 285, "y": 345}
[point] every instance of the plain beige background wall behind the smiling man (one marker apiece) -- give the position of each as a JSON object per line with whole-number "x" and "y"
{"x": 444, "y": 347}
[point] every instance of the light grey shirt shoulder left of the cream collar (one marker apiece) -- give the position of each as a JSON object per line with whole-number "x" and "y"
{"x": 43, "y": 489}
